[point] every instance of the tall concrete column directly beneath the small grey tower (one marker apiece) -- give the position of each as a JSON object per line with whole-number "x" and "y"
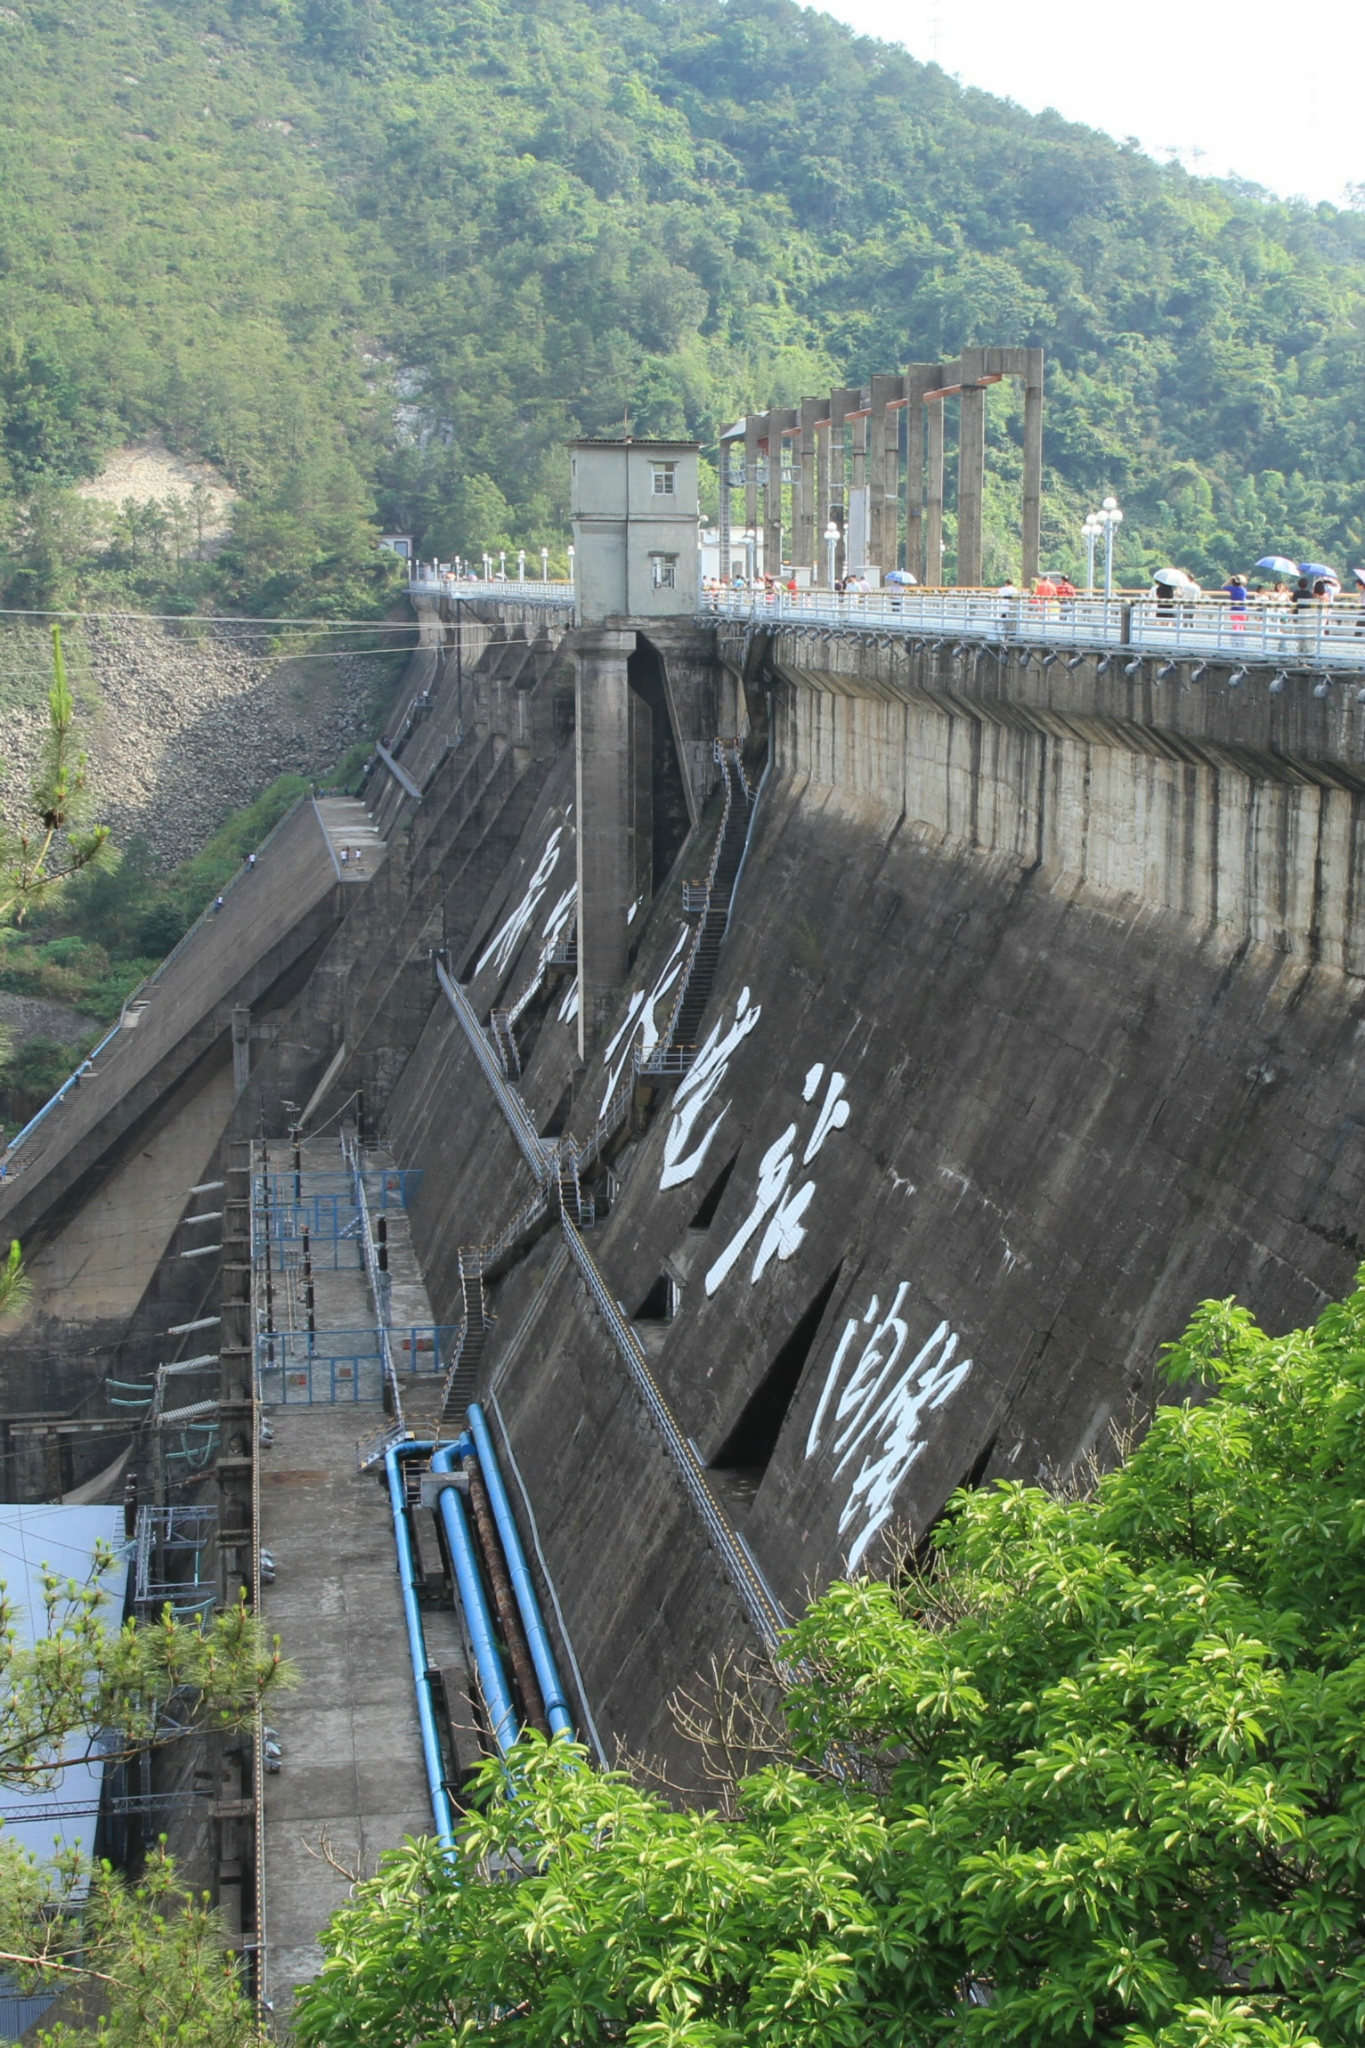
{"x": 605, "y": 814}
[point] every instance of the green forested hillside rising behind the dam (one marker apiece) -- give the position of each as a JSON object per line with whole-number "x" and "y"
{"x": 380, "y": 261}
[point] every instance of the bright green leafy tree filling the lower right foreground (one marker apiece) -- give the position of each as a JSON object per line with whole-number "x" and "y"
{"x": 1094, "y": 1777}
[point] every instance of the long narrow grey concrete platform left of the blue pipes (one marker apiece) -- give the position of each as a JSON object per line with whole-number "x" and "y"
{"x": 351, "y": 1781}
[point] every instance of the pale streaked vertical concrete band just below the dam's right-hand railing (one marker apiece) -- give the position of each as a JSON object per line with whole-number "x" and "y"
{"x": 1221, "y": 826}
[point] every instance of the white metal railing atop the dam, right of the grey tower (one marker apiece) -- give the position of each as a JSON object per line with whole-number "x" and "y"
{"x": 1118, "y": 630}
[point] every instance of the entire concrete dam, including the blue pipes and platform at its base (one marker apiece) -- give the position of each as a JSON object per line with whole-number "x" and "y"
{"x": 732, "y": 1080}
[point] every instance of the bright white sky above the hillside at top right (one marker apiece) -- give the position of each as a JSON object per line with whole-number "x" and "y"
{"x": 1239, "y": 91}
